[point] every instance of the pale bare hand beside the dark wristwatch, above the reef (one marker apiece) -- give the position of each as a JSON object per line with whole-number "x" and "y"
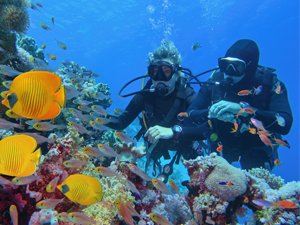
{"x": 155, "y": 133}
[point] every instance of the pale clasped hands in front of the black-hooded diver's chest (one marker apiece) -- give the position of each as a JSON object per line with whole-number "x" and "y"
{"x": 218, "y": 109}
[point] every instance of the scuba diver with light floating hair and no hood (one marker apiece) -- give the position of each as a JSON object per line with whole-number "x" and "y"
{"x": 165, "y": 95}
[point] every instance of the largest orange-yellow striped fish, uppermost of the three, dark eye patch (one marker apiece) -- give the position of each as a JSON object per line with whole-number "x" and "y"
{"x": 36, "y": 95}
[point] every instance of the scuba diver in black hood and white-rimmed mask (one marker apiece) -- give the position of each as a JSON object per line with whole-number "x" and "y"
{"x": 244, "y": 106}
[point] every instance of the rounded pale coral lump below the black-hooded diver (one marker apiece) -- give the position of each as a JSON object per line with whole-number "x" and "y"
{"x": 225, "y": 173}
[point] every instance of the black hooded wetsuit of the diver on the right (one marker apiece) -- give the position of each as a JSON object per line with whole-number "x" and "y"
{"x": 253, "y": 152}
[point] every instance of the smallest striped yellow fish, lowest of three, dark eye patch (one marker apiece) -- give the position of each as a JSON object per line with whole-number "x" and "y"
{"x": 82, "y": 189}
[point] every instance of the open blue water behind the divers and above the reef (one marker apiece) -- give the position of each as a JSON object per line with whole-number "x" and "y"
{"x": 114, "y": 37}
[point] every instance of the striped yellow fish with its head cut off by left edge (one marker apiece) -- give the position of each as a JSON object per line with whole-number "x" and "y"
{"x": 18, "y": 155}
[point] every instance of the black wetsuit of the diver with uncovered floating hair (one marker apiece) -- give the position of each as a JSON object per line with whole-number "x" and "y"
{"x": 157, "y": 109}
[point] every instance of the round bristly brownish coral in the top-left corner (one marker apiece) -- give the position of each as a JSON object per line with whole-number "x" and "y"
{"x": 14, "y": 18}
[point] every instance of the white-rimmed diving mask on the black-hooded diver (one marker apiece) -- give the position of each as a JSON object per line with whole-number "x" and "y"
{"x": 232, "y": 66}
